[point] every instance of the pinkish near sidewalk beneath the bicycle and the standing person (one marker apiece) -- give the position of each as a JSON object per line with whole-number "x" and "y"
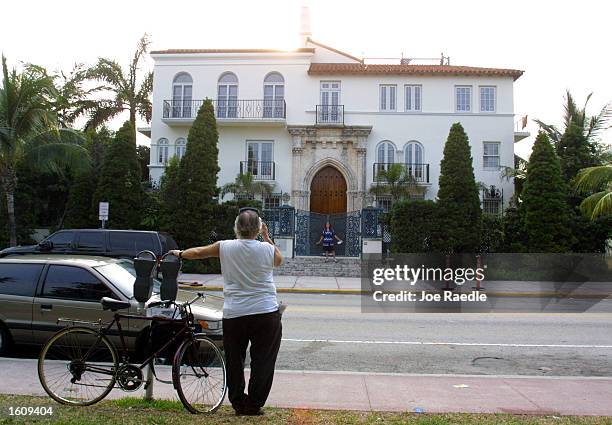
{"x": 394, "y": 392}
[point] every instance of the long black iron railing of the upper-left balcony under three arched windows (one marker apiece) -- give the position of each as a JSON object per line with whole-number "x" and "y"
{"x": 264, "y": 109}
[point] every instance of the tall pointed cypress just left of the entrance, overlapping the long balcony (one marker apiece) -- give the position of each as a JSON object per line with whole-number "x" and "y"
{"x": 198, "y": 179}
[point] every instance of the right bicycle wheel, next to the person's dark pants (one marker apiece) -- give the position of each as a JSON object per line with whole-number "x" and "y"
{"x": 199, "y": 375}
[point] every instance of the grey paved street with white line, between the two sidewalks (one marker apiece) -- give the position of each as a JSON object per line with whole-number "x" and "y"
{"x": 328, "y": 332}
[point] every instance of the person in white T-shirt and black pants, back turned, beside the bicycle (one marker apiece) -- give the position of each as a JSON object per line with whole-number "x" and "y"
{"x": 250, "y": 308}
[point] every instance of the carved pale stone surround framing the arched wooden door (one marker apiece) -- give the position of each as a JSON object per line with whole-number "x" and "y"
{"x": 315, "y": 148}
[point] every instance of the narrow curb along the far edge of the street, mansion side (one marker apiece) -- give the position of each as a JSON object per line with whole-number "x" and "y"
{"x": 217, "y": 288}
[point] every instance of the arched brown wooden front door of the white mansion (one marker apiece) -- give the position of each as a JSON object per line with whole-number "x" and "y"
{"x": 328, "y": 192}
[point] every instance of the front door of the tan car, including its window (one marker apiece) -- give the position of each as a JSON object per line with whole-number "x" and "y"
{"x": 68, "y": 291}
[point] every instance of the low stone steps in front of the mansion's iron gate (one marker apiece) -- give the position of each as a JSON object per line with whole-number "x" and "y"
{"x": 317, "y": 266}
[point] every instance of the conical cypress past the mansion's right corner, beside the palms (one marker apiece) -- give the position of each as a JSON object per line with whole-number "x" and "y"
{"x": 544, "y": 209}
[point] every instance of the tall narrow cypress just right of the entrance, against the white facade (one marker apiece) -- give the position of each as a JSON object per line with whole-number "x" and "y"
{"x": 459, "y": 205}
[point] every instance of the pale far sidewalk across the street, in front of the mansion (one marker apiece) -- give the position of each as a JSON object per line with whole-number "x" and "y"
{"x": 352, "y": 285}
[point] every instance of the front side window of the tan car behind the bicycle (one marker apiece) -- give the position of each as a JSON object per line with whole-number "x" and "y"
{"x": 74, "y": 283}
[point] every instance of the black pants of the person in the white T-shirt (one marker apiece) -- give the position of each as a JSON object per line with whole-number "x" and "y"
{"x": 264, "y": 331}
